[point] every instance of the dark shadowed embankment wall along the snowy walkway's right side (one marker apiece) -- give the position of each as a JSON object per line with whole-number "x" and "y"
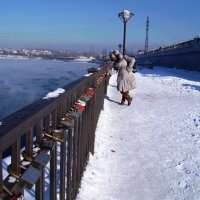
{"x": 185, "y": 55}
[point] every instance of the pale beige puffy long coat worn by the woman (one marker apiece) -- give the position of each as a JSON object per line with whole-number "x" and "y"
{"x": 125, "y": 78}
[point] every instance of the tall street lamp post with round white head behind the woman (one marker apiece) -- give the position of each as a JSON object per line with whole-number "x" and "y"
{"x": 125, "y": 15}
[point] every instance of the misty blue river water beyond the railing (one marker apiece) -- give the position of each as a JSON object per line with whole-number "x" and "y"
{"x": 23, "y": 81}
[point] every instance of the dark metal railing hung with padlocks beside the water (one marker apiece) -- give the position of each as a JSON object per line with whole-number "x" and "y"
{"x": 57, "y": 132}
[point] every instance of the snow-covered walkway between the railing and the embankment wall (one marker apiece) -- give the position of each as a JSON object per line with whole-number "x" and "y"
{"x": 151, "y": 149}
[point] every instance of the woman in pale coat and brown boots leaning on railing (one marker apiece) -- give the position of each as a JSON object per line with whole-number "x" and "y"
{"x": 125, "y": 79}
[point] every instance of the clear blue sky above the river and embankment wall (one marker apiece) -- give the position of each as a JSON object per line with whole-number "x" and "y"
{"x": 94, "y": 25}
